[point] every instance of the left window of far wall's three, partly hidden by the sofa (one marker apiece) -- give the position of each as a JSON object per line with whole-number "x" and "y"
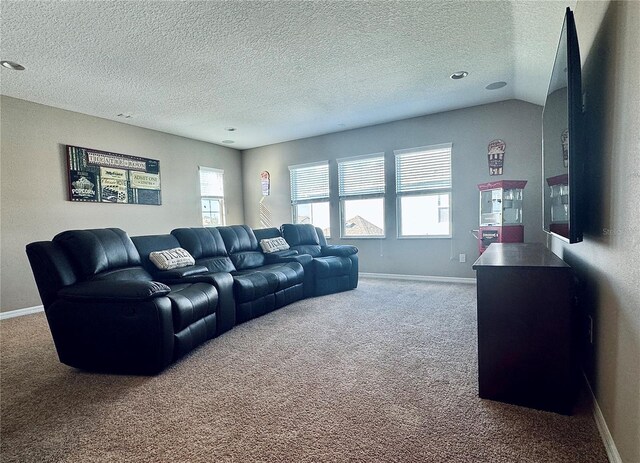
{"x": 310, "y": 195}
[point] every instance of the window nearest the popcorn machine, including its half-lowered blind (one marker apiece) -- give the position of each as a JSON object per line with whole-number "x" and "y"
{"x": 423, "y": 188}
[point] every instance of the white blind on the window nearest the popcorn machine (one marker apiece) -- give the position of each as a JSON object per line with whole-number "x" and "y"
{"x": 423, "y": 169}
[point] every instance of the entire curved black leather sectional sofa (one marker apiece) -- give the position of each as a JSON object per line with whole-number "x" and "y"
{"x": 111, "y": 309}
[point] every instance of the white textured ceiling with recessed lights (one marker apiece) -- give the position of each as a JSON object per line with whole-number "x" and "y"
{"x": 275, "y": 70}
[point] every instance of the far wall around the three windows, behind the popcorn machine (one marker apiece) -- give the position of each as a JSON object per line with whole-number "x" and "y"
{"x": 470, "y": 130}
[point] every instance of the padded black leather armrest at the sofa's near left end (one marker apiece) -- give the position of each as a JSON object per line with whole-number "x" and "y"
{"x": 114, "y": 290}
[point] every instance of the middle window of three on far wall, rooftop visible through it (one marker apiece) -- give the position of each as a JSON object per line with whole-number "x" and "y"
{"x": 361, "y": 188}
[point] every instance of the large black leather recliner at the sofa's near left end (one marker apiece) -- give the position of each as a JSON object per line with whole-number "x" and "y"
{"x": 105, "y": 311}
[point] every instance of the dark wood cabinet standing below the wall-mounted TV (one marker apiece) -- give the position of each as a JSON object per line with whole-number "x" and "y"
{"x": 526, "y": 327}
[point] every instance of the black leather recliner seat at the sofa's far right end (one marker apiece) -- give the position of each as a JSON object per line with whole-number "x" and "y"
{"x": 334, "y": 268}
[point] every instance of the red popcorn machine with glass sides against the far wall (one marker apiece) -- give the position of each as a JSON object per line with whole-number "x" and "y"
{"x": 500, "y": 213}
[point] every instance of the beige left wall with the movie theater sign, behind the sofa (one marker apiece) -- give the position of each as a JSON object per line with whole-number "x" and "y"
{"x": 34, "y": 193}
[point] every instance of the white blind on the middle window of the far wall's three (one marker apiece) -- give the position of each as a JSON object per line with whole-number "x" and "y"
{"x": 362, "y": 175}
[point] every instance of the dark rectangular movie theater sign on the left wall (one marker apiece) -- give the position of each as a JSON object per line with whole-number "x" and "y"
{"x": 104, "y": 177}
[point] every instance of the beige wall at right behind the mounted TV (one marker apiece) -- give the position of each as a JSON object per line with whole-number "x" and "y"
{"x": 608, "y": 261}
